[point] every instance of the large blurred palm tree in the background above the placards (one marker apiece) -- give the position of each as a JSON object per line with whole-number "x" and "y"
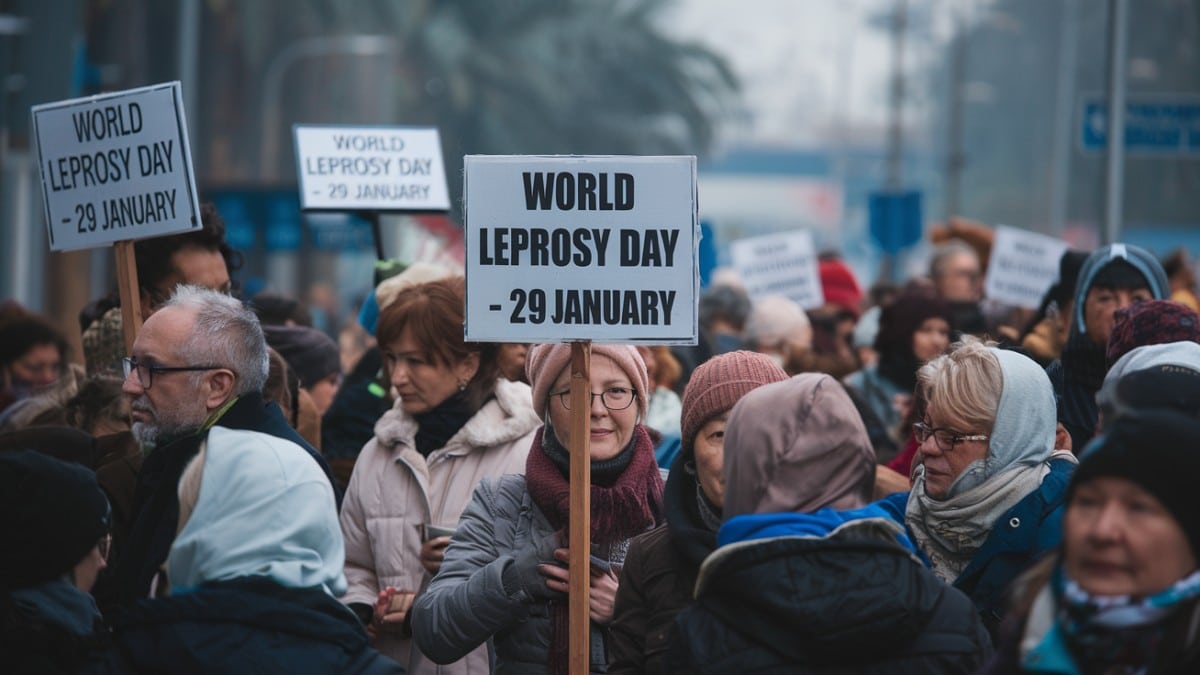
{"x": 505, "y": 77}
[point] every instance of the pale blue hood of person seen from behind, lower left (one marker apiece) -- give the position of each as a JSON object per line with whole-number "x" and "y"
{"x": 265, "y": 510}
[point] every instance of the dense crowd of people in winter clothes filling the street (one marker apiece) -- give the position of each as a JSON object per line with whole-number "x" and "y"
{"x": 910, "y": 480}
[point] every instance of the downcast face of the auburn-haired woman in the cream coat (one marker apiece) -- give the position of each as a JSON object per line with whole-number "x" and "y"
{"x": 422, "y": 381}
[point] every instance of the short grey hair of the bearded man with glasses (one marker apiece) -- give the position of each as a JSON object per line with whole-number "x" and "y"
{"x": 226, "y": 333}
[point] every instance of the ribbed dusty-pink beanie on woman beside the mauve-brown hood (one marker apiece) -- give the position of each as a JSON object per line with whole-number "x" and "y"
{"x": 721, "y": 383}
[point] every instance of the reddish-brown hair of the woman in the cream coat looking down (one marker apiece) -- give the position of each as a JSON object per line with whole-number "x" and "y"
{"x": 434, "y": 315}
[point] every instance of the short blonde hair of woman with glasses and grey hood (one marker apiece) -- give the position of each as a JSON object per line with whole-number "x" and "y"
{"x": 965, "y": 385}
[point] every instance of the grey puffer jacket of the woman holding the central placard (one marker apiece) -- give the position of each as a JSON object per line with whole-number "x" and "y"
{"x": 466, "y": 604}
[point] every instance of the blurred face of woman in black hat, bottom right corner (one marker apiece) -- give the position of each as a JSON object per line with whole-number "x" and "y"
{"x": 1119, "y": 540}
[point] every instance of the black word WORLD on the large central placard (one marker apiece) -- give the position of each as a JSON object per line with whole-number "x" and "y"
{"x": 579, "y": 192}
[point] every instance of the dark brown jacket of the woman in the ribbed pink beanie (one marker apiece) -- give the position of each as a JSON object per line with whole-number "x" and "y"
{"x": 658, "y": 580}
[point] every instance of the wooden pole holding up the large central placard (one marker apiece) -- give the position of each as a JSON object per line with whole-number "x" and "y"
{"x": 580, "y": 646}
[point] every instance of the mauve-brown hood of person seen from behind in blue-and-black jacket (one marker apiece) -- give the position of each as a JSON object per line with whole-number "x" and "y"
{"x": 797, "y": 446}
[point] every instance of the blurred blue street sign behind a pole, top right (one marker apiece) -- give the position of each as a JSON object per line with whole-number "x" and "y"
{"x": 1153, "y": 127}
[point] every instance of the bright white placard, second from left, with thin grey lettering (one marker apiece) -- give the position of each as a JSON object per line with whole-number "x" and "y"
{"x": 380, "y": 169}
